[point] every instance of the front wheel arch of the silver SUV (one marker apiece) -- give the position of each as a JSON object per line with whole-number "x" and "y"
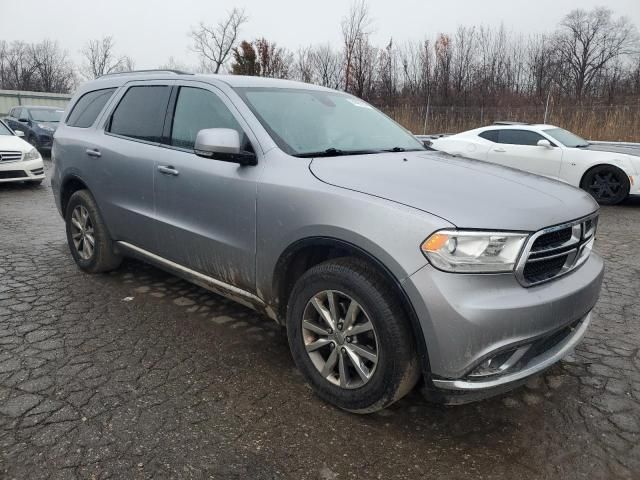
{"x": 305, "y": 253}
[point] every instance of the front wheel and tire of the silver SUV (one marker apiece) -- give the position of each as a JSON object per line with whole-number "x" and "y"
{"x": 396, "y": 370}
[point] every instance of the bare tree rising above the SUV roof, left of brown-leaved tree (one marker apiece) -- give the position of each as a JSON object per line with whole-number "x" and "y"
{"x": 214, "y": 43}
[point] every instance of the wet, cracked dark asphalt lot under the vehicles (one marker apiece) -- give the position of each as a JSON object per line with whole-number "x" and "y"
{"x": 137, "y": 374}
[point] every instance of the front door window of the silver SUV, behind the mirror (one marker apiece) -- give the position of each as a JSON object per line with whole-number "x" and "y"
{"x": 197, "y": 109}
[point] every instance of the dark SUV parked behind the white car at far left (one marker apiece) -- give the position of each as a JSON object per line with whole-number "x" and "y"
{"x": 37, "y": 123}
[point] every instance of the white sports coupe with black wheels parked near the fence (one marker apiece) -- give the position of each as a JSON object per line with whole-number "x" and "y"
{"x": 609, "y": 172}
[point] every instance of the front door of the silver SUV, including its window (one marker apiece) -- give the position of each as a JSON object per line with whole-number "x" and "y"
{"x": 206, "y": 209}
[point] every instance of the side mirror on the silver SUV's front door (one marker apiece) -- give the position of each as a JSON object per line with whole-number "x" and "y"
{"x": 223, "y": 144}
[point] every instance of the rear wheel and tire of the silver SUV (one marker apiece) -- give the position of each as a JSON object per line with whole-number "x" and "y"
{"x": 92, "y": 258}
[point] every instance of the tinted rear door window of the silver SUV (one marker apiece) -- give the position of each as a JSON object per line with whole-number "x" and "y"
{"x": 140, "y": 113}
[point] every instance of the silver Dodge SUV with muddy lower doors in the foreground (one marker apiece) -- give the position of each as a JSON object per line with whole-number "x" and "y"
{"x": 387, "y": 263}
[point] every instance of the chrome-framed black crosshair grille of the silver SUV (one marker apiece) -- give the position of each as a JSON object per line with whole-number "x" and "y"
{"x": 555, "y": 251}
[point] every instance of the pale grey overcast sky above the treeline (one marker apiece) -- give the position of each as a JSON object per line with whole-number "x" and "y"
{"x": 152, "y": 31}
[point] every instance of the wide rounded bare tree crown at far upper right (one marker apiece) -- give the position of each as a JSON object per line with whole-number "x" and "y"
{"x": 589, "y": 42}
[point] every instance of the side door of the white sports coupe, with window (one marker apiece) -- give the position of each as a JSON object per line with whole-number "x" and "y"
{"x": 519, "y": 149}
